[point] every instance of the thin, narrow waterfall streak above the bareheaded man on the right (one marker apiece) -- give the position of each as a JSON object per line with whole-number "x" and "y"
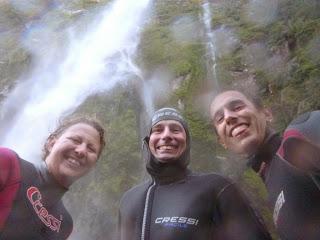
{"x": 210, "y": 44}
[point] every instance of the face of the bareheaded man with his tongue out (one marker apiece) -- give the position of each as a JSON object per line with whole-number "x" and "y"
{"x": 240, "y": 126}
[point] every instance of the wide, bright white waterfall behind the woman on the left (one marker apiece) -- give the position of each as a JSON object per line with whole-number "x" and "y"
{"x": 94, "y": 62}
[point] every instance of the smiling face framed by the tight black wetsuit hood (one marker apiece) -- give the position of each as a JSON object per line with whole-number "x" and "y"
{"x": 167, "y": 140}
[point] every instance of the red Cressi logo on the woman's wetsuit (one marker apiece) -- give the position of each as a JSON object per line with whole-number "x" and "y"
{"x": 50, "y": 221}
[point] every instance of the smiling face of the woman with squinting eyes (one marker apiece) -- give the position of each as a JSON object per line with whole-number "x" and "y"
{"x": 73, "y": 153}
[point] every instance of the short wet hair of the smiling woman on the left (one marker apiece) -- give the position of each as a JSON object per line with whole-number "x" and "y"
{"x": 65, "y": 124}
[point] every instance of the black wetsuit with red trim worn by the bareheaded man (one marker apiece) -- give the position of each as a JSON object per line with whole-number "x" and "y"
{"x": 291, "y": 177}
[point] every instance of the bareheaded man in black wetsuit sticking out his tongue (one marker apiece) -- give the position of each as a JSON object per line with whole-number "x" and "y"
{"x": 288, "y": 165}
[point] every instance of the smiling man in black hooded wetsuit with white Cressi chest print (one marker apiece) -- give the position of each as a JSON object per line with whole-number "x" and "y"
{"x": 177, "y": 204}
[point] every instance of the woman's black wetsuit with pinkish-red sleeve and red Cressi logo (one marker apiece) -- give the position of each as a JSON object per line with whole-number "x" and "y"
{"x": 30, "y": 201}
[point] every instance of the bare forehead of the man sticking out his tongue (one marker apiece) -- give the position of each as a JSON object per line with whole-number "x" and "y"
{"x": 225, "y": 98}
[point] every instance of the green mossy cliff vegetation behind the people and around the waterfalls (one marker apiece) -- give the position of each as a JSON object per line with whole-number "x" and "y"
{"x": 287, "y": 77}
